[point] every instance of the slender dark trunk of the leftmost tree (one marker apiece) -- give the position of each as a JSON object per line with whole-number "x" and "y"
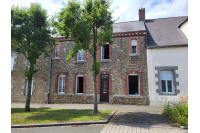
{"x": 28, "y": 97}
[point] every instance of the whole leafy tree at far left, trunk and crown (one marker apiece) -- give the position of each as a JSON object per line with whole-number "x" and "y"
{"x": 30, "y": 36}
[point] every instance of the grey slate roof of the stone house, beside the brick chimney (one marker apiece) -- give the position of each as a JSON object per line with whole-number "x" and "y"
{"x": 131, "y": 26}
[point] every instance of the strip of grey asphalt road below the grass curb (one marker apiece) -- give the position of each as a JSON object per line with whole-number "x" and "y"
{"x": 61, "y": 129}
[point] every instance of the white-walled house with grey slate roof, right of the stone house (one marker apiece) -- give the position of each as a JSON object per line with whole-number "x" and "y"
{"x": 167, "y": 59}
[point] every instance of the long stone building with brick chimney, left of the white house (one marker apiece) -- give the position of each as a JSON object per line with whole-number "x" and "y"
{"x": 123, "y": 72}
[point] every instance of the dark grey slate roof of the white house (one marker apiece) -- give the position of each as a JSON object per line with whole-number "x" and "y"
{"x": 165, "y": 32}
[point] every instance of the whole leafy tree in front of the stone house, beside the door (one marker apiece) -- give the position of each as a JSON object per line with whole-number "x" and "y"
{"x": 90, "y": 25}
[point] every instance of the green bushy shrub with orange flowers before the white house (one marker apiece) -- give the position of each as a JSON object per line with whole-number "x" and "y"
{"x": 178, "y": 113}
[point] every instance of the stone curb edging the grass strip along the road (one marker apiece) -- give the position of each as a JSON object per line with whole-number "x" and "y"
{"x": 65, "y": 123}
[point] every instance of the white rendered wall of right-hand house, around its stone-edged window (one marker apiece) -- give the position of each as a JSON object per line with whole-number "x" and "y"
{"x": 170, "y": 56}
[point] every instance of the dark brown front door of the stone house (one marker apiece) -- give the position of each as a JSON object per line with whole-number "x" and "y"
{"x": 104, "y": 91}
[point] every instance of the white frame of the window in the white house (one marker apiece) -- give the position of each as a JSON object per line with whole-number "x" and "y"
{"x": 166, "y": 84}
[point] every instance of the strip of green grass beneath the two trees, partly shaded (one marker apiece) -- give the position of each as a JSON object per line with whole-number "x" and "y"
{"x": 38, "y": 116}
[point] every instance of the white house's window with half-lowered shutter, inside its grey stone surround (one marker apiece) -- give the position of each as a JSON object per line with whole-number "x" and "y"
{"x": 166, "y": 78}
